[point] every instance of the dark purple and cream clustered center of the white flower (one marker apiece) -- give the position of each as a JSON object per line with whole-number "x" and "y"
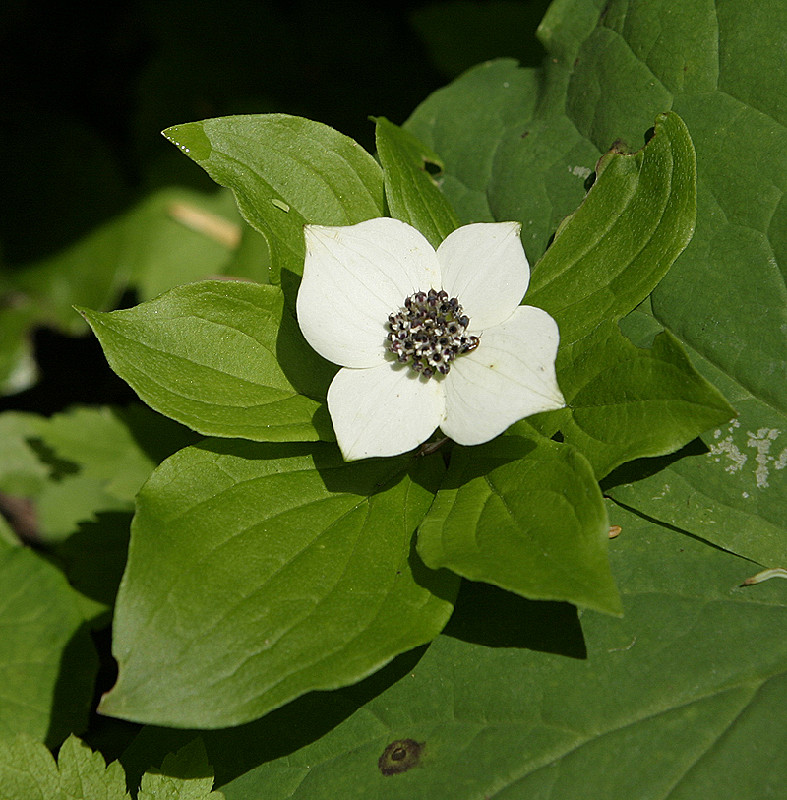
{"x": 428, "y": 332}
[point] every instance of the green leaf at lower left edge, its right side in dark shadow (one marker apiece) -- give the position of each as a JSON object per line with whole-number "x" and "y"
{"x": 47, "y": 660}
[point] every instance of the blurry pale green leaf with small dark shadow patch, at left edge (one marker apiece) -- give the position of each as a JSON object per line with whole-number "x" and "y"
{"x": 75, "y": 493}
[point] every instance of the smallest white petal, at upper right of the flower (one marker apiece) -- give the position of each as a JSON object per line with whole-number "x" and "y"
{"x": 484, "y": 266}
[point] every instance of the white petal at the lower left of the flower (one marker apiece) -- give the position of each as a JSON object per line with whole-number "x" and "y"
{"x": 383, "y": 411}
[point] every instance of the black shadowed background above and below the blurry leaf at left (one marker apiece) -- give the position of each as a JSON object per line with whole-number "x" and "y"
{"x": 86, "y": 89}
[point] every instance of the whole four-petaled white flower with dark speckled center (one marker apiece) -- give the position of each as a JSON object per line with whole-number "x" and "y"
{"x": 364, "y": 303}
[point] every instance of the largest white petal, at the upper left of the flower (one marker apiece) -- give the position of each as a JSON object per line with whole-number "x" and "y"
{"x": 354, "y": 276}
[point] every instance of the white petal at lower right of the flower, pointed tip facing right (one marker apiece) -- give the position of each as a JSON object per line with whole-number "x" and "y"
{"x": 510, "y": 375}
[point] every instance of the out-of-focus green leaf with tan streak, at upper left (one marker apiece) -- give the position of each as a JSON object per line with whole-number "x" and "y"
{"x": 171, "y": 237}
